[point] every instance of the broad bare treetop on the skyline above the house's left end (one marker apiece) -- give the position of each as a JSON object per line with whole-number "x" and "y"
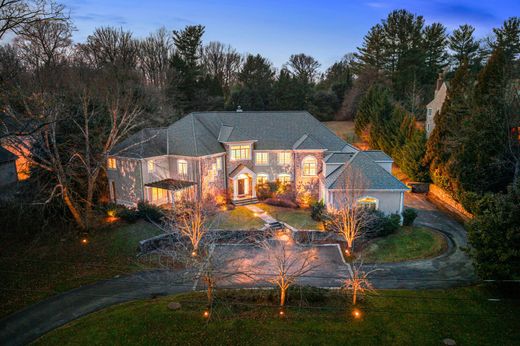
{"x": 109, "y": 46}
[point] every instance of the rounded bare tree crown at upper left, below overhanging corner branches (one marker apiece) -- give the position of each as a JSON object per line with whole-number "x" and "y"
{"x": 44, "y": 43}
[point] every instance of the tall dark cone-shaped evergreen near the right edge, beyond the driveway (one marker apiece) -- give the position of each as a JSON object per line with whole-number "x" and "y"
{"x": 479, "y": 162}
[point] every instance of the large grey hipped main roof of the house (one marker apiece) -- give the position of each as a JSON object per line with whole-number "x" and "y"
{"x": 202, "y": 133}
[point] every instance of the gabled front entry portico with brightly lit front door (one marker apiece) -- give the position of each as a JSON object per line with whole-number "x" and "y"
{"x": 243, "y": 185}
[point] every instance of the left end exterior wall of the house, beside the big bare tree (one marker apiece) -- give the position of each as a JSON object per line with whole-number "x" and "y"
{"x": 128, "y": 181}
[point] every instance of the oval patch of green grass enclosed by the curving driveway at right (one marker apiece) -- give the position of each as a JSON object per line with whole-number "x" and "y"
{"x": 407, "y": 243}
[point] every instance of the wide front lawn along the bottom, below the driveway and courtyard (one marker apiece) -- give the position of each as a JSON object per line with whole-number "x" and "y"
{"x": 398, "y": 317}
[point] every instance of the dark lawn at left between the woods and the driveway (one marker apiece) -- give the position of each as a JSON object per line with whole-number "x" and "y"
{"x": 52, "y": 263}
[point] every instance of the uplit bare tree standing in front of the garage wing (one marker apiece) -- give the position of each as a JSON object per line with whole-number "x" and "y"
{"x": 347, "y": 217}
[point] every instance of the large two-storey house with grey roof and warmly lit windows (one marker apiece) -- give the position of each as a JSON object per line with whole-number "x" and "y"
{"x": 227, "y": 154}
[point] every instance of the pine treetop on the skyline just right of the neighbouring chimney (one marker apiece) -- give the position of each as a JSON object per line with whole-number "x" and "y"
{"x": 464, "y": 47}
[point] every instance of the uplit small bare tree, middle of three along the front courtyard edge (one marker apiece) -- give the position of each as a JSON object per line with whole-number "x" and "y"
{"x": 287, "y": 263}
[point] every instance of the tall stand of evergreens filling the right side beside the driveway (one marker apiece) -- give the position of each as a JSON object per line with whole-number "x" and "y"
{"x": 474, "y": 149}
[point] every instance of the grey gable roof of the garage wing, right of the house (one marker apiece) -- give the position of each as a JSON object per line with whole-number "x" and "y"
{"x": 375, "y": 176}
